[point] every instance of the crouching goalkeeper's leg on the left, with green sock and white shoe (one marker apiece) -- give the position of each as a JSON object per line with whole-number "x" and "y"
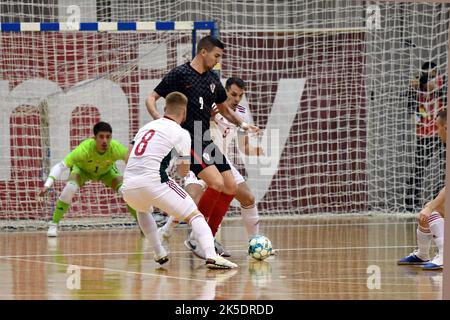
{"x": 76, "y": 180}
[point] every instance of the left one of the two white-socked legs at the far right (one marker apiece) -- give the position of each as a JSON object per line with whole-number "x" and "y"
{"x": 422, "y": 254}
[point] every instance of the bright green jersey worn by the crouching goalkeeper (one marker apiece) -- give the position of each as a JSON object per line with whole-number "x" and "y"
{"x": 86, "y": 157}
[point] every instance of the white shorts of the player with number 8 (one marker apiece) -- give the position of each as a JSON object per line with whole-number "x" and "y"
{"x": 168, "y": 196}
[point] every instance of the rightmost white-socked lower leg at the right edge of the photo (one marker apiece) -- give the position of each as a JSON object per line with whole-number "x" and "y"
{"x": 436, "y": 223}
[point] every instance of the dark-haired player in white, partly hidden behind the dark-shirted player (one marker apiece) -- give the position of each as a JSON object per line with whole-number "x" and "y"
{"x": 222, "y": 133}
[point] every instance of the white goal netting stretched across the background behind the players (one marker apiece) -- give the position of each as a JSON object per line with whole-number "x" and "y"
{"x": 329, "y": 82}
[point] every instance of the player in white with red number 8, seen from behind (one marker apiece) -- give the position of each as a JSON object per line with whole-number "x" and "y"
{"x": 146, "y": 183}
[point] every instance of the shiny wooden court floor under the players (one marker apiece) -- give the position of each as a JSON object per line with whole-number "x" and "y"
{"x": 316, "y": 258}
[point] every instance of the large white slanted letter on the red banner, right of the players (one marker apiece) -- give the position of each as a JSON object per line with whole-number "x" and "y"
{"x": 261, "y": 169}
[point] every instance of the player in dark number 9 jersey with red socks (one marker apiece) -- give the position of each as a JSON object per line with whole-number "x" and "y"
{"x": 202, "y": 86}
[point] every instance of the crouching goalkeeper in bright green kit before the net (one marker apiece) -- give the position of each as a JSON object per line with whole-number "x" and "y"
{"x": 93, "y": 159}
